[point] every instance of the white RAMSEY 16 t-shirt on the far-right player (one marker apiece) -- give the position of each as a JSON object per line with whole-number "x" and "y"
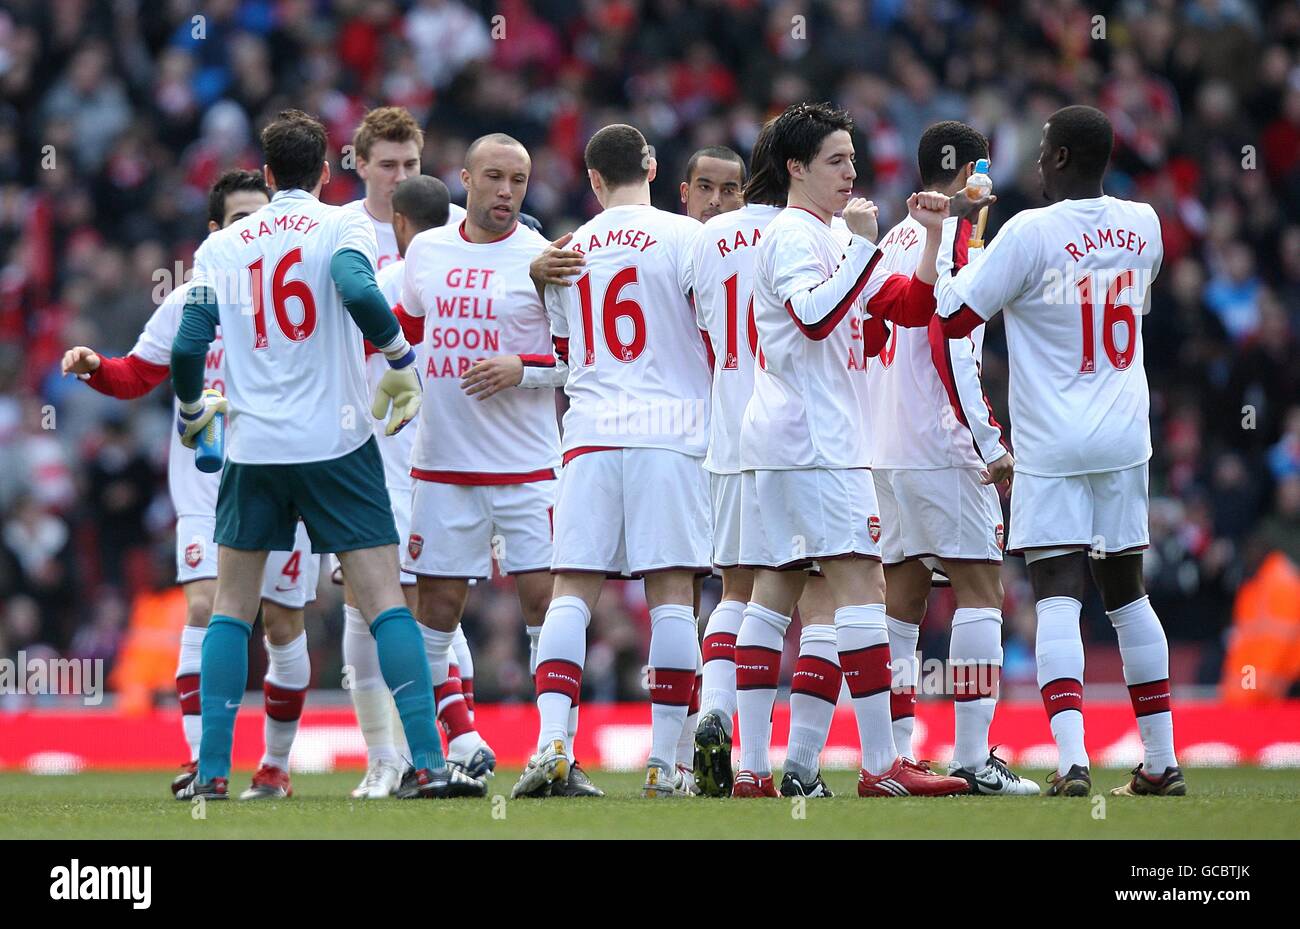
{"x": 1074, "y": 280}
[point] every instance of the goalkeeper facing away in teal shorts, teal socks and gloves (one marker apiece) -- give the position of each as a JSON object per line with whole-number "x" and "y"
{"x": 291, "y": 288}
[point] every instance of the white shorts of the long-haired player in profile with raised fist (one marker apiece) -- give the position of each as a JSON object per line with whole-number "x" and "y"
{"x": 808, "y": 515}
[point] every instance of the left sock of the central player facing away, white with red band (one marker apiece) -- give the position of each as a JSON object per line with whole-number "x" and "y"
{"x": 561, "y": 655}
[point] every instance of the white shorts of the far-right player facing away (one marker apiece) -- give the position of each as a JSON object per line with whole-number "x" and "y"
{"x": 1106, "y": 513}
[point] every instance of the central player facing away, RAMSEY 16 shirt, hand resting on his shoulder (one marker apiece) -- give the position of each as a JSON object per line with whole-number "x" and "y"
{"x": 632, "y": 498}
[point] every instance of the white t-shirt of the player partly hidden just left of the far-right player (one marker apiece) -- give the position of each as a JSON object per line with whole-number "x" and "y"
{"x": 913, "y": 423}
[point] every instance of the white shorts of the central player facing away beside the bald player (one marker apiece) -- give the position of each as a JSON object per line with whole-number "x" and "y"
{"x": 630, "y": 511}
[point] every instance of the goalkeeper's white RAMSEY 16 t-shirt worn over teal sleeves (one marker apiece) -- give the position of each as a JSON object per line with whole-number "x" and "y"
{"x": 296, "y": 372}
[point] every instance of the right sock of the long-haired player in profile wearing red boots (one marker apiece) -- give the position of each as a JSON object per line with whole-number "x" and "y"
{"x": 864, "y": 643}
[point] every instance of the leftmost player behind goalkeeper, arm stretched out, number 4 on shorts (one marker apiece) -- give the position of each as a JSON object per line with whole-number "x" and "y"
{"x": 289, "y": 581}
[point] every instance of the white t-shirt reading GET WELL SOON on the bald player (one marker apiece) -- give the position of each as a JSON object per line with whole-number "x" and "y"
{"x": 478, "y": 302}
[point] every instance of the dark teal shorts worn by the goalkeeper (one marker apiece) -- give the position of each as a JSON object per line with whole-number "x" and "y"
{"x": 344, "y": 503}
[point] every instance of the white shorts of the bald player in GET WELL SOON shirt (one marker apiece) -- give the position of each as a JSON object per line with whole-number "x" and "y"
{"x": 458, "y": 529}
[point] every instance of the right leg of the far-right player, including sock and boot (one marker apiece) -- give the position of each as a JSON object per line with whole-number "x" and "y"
{"x": 1146, "y": 658}
